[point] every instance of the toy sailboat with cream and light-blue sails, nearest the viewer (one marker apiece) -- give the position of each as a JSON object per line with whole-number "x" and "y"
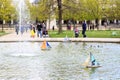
{"x": 91, "y": 62}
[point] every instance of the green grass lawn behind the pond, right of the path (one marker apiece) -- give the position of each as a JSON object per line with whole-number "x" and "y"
{"x": 90, "y": 34}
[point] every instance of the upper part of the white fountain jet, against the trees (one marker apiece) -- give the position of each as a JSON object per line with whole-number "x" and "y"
{"x": 23, "y": 12}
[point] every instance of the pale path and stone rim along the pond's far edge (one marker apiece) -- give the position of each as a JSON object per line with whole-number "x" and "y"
{"x": 13, "y": 37}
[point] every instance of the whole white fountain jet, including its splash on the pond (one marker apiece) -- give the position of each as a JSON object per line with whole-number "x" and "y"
{"x": 23, "y": 19}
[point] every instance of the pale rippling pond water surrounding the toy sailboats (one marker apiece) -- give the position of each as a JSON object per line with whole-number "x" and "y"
{"x": 26, "y": 61}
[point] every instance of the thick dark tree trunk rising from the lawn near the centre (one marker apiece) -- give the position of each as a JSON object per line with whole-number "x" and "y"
{"x": 60, "y": 16}
